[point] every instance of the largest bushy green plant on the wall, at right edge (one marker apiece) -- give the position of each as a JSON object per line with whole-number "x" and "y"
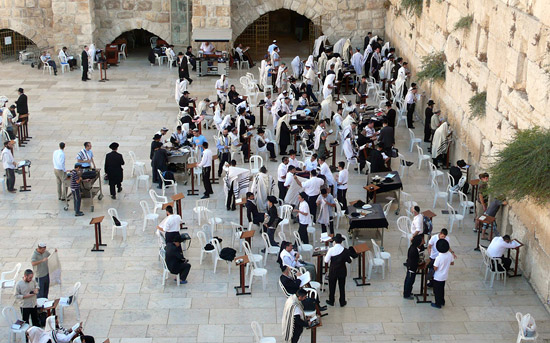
{"x": 521, "y": 169}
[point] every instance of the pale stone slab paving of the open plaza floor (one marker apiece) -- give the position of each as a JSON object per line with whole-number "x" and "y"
{"x": 121, "y": 295}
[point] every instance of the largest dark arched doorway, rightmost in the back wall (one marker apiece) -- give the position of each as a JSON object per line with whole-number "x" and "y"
{"x": 295, "y": 33}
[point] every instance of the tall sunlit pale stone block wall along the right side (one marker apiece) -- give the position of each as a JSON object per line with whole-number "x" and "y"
{"x": 506, "y": 52}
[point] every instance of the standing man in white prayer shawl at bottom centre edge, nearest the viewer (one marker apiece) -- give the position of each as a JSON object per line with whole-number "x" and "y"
{"x": 294, "y": 319}
